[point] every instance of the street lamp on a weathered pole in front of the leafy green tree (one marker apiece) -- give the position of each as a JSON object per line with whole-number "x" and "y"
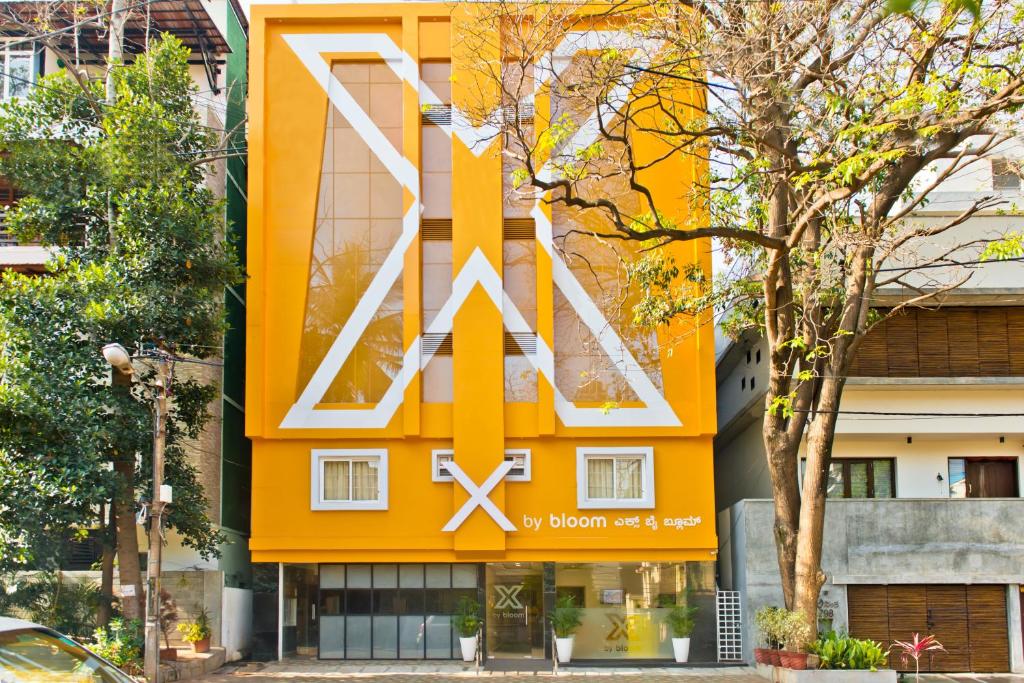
{"x": 120, "y": 360}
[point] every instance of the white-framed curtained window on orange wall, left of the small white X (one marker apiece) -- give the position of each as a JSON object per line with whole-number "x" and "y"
{"x": 349, "y": 480}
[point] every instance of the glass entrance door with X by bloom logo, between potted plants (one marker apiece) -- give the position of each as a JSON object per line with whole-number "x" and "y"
{"x": 516, "y": 611}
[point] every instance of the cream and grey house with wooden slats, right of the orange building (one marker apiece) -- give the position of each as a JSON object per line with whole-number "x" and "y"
{"x": 924, "y": 524}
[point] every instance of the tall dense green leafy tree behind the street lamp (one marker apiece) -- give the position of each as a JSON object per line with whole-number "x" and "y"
{"x": 118, "y": 191}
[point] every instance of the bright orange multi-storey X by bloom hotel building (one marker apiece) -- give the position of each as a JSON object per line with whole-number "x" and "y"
{"x": 442, "y": 407}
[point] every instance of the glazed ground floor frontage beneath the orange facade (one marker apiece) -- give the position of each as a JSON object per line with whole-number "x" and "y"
{"x": 405, "y": 611}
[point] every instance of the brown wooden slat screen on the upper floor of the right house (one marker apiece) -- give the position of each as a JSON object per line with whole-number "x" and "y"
{"x": 957, "y": 341}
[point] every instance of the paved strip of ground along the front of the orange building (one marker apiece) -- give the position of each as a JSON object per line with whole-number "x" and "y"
{"x": 327, "y": 672}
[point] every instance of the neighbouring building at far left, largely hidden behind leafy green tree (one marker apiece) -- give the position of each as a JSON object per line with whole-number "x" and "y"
{"x": 218, "y": 33}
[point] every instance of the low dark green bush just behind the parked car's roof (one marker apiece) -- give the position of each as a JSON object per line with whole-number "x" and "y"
{"x": 69, "y": 606}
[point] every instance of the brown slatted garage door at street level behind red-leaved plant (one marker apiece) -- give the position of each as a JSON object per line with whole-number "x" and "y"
{"x": 969, "y": 621}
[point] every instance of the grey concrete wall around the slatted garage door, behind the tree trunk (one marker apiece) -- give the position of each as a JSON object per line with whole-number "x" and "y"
{"x": 963, "y": 541}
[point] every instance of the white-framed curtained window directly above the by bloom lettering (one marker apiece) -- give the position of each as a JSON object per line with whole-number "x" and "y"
{"x": 615, "y": 478}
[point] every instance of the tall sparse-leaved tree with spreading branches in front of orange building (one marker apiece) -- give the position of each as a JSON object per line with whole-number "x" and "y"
{"x": 822, "y": 127}
